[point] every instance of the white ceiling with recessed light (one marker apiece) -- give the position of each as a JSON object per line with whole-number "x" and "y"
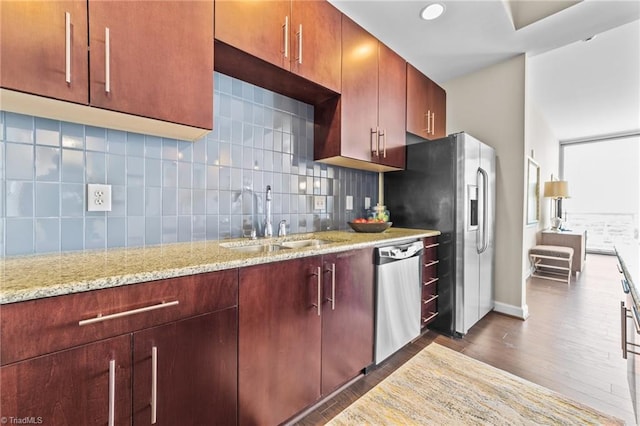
{"x": 585, "y": 89}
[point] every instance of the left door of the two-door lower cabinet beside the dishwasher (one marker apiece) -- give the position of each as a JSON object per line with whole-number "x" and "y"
{"x": 279, "y": 340}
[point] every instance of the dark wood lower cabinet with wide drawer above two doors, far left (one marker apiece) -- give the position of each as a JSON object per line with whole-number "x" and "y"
{"x": 66, "y": 380}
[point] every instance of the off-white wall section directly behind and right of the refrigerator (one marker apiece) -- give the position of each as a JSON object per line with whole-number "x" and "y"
{"x": 490, "y": 105}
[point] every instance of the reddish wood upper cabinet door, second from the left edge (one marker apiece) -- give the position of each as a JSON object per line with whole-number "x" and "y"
{"x": 153, "y": 59}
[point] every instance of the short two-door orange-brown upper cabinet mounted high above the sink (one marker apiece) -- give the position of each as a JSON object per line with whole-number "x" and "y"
{"x": 298, "y": 36}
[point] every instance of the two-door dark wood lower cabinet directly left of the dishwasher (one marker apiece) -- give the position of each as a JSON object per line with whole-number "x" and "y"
{"x": 302, "y": 333}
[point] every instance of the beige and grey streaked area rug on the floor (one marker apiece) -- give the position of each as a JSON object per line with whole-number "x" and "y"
{"x": 439, "y": 386}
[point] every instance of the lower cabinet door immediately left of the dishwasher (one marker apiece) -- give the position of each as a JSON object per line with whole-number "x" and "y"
{"x": 347, "y": 316}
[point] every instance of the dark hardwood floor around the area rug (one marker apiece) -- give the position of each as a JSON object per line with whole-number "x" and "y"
{"x": 570, "y": 343}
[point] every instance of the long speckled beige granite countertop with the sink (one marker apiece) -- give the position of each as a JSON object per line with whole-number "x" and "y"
{"x": 34, "y": 277}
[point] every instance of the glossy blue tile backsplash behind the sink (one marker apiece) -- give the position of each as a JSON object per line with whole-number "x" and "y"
{"x": 167, "y": 190}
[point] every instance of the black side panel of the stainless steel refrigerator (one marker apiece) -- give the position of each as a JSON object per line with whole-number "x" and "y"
{"x": 423, "y": 196}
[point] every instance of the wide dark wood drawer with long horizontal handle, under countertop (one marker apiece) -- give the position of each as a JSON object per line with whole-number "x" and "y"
{"x": 42, "y": 326}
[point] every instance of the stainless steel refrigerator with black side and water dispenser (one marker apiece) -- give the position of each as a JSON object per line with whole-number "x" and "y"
{"x": 449, "y": 185}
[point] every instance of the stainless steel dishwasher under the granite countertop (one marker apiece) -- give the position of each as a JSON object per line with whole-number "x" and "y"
{"x": 397, "y": 297}
